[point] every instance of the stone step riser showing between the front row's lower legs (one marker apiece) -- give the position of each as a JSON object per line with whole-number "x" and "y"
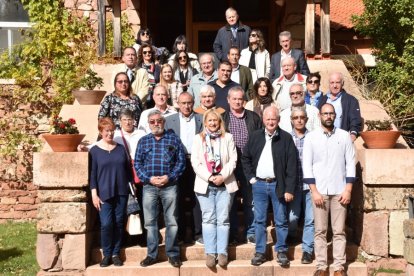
{"x": 196, "y": 252}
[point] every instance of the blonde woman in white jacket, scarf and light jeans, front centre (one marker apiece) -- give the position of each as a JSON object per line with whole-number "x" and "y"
{"x": 214, "y": 159}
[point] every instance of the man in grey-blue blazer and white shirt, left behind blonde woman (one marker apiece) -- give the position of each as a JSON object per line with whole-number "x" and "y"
{"x": 186, "y": 124}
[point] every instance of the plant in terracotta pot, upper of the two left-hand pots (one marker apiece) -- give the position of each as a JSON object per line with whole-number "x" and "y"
{"x": 89, "y": 95}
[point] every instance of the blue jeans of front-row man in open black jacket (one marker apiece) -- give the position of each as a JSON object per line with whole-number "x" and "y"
{"x": 262, "y": 191}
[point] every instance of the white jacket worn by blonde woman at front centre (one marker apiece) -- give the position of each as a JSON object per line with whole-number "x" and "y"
{"x": 228, "y": 159}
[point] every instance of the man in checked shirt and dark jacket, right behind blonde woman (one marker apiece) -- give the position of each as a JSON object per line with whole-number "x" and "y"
{"x": 241, "y": 123}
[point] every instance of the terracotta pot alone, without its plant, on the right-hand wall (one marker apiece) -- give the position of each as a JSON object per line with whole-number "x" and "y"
{"x": 380, "y": 139}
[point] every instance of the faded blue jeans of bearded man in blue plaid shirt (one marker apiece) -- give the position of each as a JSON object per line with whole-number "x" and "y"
{"x": 168, "y": 196}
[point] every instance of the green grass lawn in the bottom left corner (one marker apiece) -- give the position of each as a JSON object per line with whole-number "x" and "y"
{"x": 18, "y": 248}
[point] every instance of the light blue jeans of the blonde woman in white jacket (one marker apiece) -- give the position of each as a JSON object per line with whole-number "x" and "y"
{"x": 215, "y": 208}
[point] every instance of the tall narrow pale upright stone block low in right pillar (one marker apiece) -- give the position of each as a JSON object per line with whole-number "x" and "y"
{"x": 396, "y": 232}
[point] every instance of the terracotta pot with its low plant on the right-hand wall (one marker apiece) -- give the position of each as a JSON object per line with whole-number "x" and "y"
{"x": 380, "y": 134}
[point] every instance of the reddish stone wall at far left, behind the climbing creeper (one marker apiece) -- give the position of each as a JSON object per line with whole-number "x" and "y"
{"x": 18, "y": 195}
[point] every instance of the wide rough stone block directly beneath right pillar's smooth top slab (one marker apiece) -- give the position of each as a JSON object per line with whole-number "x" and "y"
{"x": 386, "y": 198}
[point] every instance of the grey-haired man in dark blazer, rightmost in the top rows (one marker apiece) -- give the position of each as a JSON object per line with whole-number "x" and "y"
{"x": 285, "y": 40}
